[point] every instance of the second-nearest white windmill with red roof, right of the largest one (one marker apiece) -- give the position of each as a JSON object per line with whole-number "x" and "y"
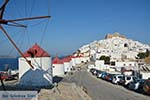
{"x": 58, "y": 67}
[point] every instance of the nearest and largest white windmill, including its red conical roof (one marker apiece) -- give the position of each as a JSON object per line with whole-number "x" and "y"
{"x": 41, "y": 74}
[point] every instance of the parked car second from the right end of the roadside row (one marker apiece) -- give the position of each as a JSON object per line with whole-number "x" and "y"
{"x": 136, "y": 85}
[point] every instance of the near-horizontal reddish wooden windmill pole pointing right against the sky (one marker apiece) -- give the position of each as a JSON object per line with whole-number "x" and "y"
{"x": 30, "y": 18}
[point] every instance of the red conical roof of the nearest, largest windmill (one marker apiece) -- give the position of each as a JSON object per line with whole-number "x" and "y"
{"x": 36, "y": 51}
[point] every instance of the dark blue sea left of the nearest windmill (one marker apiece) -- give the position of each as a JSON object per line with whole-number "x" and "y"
{"x": 8, "y": 63}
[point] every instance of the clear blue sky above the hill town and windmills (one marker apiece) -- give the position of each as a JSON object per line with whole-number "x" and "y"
{"x": 78, "y": 22}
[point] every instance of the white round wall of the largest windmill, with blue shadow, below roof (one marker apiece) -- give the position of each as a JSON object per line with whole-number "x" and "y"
{"x": 41, "y": 75}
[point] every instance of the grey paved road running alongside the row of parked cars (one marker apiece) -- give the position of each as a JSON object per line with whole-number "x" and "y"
{"x": 98, "y": 89}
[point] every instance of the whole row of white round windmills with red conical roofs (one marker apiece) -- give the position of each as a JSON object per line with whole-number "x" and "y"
{"x": 44, "y": 67}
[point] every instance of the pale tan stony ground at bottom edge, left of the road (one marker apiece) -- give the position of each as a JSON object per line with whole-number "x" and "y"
{"x": 64, "y": 91}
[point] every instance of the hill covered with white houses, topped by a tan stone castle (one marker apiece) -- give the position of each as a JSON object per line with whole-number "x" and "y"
{"x": 117, "y": 46}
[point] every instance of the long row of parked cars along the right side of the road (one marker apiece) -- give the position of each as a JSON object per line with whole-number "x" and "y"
{"x": 131, "y": 83}
